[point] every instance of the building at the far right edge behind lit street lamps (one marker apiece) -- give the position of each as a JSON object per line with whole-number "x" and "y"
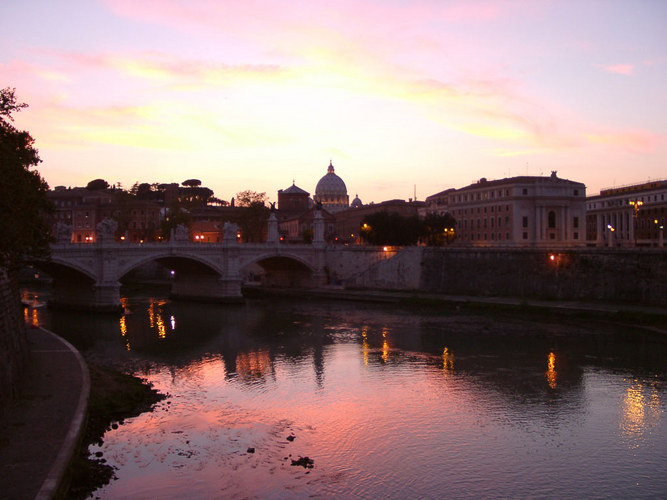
{"x": 627, "y": 216}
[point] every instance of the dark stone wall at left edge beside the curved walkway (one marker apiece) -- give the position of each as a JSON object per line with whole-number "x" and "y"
{"x": 13, "y": 340}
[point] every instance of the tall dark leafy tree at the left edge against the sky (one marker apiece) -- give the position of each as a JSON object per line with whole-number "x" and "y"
{"x": 24, "y": 232}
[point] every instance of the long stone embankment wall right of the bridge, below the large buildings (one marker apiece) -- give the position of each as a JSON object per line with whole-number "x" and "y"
{"x": 628, "y": 276}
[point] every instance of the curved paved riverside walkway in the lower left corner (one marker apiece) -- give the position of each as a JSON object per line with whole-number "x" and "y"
{"x": 40, "y": 429}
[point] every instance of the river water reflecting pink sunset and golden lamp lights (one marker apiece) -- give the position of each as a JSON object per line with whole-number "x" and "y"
{"x": 386, "y": 402}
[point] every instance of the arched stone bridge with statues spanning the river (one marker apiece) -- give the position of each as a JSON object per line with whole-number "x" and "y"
{"x": 88, "y": 275}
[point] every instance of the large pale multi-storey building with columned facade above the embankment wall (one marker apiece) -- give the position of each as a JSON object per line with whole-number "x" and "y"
{"x": 516, "y": 212}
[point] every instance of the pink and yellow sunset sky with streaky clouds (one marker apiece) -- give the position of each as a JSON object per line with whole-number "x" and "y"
{"x": 253, "y": 94}
